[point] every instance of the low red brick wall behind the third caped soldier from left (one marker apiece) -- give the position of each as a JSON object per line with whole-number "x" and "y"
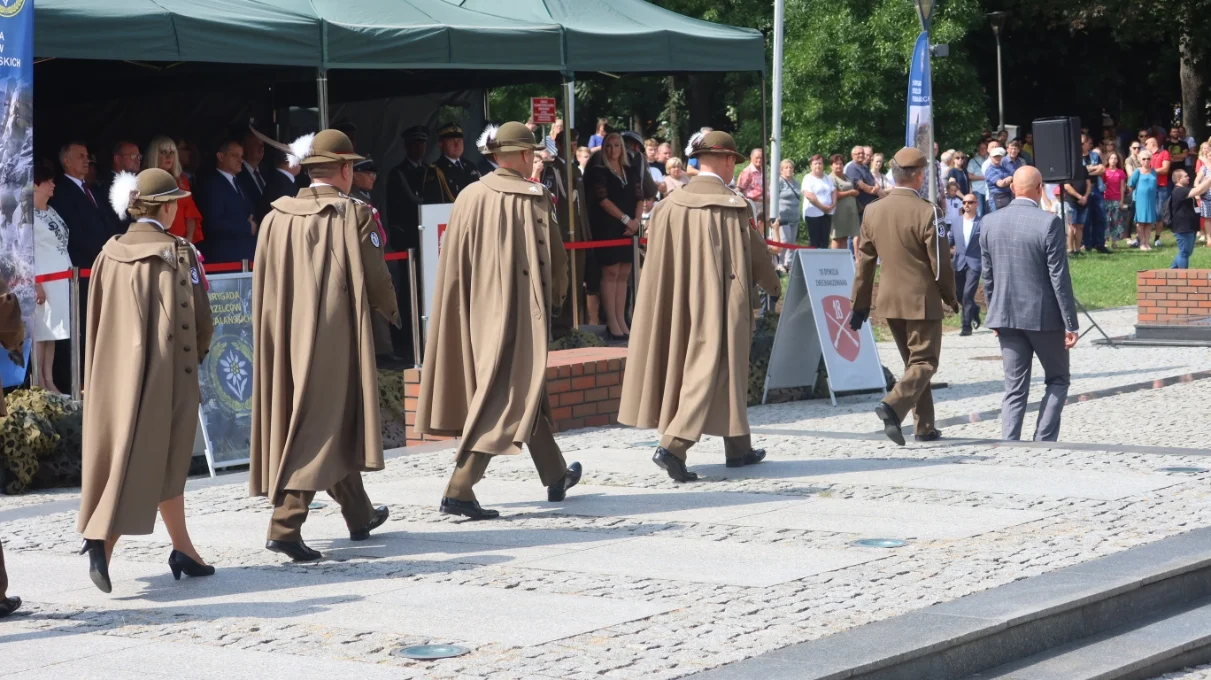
{"x": 584, "y": 388}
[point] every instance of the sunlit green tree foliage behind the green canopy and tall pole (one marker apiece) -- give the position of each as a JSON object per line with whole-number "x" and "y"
{"x": 846, "y": 70}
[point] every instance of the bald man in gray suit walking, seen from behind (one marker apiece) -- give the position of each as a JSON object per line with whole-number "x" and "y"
{"x": 1031, "y": 307}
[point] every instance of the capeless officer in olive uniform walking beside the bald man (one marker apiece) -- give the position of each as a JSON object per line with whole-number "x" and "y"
{"x": 903, "y": 230}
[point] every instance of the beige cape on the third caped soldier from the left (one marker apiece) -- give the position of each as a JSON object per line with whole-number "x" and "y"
{"x": 486, "y": 351}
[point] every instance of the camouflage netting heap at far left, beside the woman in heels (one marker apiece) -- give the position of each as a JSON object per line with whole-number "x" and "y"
{"x": 41, "y": 441}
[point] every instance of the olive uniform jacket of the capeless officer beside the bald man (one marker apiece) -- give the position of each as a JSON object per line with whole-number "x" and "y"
{"x": 900, "y": 234}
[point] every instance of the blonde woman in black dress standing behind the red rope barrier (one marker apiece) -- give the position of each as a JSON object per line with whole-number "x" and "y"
{"x": 615, "y": 209}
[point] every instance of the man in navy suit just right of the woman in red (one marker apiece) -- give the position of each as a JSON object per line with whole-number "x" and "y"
{"x": 227, "y": 210}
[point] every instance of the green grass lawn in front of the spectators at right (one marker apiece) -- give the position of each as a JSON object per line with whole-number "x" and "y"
{"x": 1100, "y": 281}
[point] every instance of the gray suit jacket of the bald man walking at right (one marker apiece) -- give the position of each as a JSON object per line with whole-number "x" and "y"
{"x": 1025, "y": 270}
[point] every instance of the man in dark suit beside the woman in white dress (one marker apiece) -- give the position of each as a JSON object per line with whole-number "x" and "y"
{"x": 84, "y": 209}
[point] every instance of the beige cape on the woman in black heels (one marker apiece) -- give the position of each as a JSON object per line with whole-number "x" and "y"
{"x": 148, "y": 330}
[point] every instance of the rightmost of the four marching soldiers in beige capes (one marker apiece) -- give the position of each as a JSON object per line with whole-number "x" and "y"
{"x": 687, "y": 368}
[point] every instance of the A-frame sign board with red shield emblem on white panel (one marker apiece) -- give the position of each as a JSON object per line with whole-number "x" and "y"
{"x": 816, "y": 321}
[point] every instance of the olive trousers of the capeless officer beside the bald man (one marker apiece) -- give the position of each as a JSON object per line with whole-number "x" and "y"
{"x": 921, "y": 344}
